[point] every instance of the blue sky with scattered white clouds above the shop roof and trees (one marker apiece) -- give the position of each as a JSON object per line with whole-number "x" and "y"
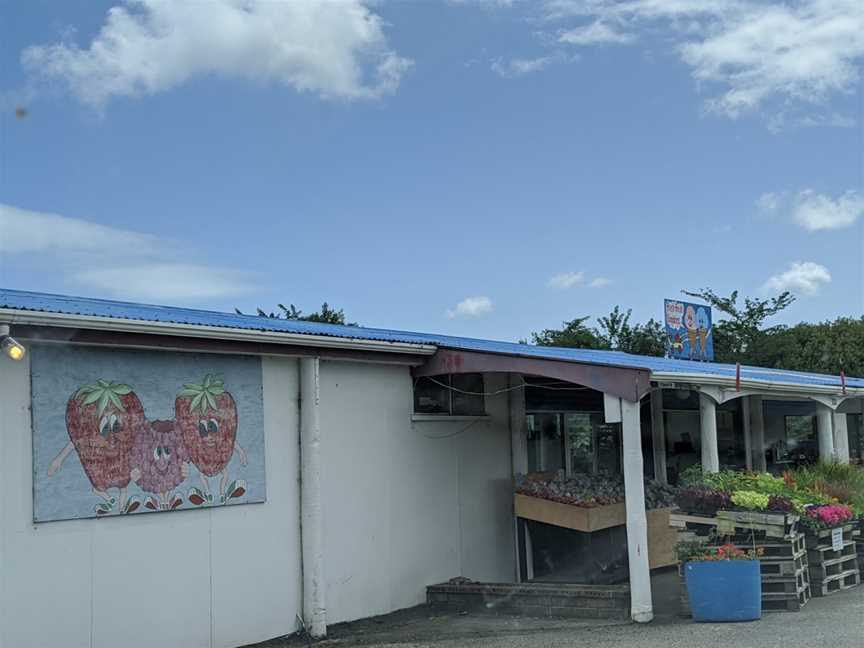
{"x": 486, "y": 168}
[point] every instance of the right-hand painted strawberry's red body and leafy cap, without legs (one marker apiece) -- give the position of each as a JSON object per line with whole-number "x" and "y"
{"x": 207, "y": 418}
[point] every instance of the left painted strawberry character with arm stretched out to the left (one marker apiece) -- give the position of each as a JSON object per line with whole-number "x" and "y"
{"x": 102, "y": 421}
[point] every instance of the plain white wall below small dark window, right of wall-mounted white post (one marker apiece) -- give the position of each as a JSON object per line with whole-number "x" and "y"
{"x": 408, "y": 504}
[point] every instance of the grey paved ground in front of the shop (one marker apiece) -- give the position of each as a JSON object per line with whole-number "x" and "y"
{"x": 833, "y": 622}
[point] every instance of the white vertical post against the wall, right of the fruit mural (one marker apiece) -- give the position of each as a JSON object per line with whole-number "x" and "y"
{"x": 314, "y": 589}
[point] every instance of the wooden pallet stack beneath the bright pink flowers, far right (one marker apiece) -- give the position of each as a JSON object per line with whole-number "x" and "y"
{"x": 833, "y": 560}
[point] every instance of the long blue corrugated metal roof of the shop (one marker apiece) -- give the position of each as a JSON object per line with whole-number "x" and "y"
{"x": 48, "y": 303}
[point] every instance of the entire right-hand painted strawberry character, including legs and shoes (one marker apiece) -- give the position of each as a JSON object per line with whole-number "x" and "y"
{"x": 206, "y": 416}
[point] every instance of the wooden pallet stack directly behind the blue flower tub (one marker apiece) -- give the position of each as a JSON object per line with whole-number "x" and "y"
{"x": 785, "y": 575}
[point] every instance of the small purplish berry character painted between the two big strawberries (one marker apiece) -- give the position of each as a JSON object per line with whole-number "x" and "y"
{"x": 159, "y": 464}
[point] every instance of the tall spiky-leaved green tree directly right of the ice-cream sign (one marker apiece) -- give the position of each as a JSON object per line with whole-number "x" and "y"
{"x": 741, "y": 336}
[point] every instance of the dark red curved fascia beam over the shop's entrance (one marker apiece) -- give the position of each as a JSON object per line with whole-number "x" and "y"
{"x": 623, "y": 382}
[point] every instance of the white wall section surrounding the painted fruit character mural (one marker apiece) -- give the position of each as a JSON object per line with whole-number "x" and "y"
{"x": 219, "y": 577}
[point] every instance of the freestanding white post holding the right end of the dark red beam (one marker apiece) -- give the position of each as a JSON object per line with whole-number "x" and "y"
{"x": 641, "y": 608}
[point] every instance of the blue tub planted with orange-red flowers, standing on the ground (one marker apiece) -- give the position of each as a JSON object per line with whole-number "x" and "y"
{"x": 724, "y": 584}
